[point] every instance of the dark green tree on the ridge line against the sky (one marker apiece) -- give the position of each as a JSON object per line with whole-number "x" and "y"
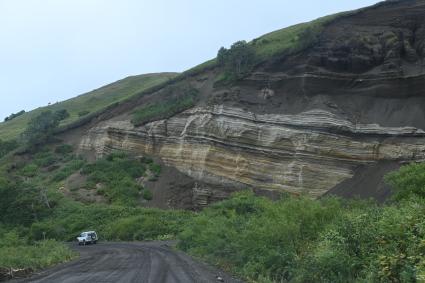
{"x": 237, "y": 61}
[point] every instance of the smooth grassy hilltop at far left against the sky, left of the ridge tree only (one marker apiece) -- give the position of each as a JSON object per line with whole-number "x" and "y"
{"x": 92, "y": 101}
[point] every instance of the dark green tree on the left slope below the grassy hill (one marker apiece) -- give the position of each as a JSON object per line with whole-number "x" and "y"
{"x": 41, "y": 128}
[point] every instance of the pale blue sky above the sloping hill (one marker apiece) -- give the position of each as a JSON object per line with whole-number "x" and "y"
{"x": 52, "y": 50}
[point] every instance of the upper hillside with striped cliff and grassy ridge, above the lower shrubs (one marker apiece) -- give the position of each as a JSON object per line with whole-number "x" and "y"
{"x": 325, "y": 107}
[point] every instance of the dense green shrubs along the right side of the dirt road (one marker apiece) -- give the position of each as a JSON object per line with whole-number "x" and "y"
{"x": 297, "y": 239}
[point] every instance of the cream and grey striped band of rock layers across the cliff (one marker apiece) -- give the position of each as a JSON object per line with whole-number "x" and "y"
{"x": 309, "y": 152}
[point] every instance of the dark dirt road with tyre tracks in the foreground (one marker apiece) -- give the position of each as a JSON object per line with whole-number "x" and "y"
{"x": 150, "y": 262}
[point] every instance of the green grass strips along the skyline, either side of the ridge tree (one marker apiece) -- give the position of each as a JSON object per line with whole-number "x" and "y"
{"x": 282, "y": 42}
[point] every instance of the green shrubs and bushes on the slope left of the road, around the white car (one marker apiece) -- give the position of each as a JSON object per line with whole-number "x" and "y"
{"x": 39, "y": 208}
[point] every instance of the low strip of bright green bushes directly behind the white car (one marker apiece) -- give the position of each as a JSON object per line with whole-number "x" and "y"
{"x": 110, "y": 221}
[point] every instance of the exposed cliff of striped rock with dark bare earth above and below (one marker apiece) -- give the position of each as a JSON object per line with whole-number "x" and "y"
{"x": 351, "y": 107}
